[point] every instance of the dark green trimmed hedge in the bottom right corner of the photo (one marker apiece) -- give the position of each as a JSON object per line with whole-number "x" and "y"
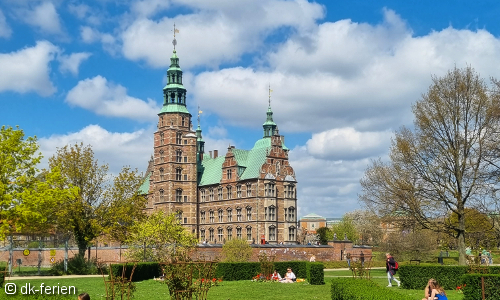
{"x": 472, "y": 289}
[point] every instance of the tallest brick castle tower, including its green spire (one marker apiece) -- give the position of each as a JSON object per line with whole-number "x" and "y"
{"x": 173, "y": 183}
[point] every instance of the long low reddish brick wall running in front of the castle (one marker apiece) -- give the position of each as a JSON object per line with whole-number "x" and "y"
{"x": 334, "y": 251}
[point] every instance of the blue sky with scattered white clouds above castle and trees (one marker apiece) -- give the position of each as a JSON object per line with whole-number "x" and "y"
{"x": 344, "y": 75}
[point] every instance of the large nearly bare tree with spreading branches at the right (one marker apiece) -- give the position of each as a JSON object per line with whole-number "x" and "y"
{"x": 445, "y": 164}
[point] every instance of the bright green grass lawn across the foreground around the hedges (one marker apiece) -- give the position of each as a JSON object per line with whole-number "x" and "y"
{"x": 233, "y": 290}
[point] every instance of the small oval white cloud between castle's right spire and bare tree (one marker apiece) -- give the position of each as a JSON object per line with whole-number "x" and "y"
{"x": 348, "y": 144}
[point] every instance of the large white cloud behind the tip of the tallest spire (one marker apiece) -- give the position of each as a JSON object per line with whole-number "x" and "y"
{"x": 226, "y": 30}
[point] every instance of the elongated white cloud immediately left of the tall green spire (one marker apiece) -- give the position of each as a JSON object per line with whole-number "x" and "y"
{"x": 108, "y": 99}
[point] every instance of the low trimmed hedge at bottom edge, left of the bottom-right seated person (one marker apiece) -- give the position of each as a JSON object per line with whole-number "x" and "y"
{"x": 362, "y": 289}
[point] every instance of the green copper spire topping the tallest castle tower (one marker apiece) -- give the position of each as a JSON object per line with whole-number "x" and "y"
{"x": 174, "y": 93}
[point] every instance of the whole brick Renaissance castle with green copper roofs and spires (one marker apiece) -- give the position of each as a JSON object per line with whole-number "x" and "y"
{"x": 246, "y": 194}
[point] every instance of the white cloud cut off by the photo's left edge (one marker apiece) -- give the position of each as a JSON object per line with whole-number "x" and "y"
{"x": 28, "y": 69}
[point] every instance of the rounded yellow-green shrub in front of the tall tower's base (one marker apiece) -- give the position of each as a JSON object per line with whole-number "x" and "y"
{"x": 159, "y": 237}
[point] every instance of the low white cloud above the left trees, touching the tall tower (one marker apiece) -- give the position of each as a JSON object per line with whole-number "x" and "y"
{"x": 117, "y": 149}
